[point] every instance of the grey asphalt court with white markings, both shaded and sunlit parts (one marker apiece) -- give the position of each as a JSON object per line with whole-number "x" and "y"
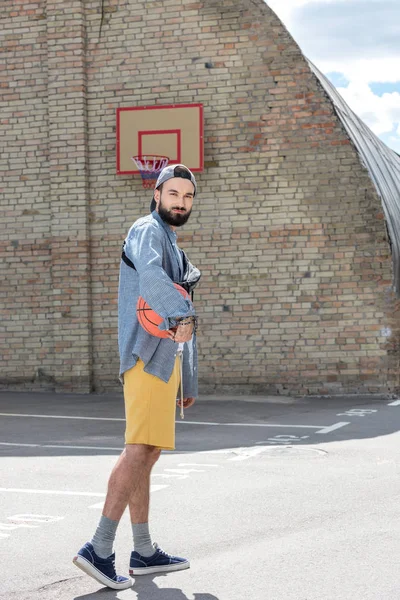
{"x": 270, "y": 498}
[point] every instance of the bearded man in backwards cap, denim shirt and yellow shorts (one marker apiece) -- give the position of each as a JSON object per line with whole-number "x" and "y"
{"x": 150, "y": 370}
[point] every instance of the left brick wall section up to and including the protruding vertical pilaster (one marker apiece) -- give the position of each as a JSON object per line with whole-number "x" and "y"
{"x": 46, "y": 279}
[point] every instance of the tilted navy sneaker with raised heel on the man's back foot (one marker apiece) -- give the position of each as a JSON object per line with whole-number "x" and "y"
{"x": 101, "y": 569}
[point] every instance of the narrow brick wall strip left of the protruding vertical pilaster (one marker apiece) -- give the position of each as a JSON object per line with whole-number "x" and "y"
{"x": 26, "y": 290}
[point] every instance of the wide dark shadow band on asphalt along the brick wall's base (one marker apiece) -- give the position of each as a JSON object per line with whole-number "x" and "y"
{"x": 46, "y": 424}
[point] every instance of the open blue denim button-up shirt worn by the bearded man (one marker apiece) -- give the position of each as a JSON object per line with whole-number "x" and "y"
{"x": 151, "y": 246}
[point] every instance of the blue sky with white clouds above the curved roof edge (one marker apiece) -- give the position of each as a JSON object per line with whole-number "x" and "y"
{"x": 356, "y": 44}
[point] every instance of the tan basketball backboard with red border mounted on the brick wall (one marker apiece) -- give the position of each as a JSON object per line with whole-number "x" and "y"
{"x": 174, "y": 130}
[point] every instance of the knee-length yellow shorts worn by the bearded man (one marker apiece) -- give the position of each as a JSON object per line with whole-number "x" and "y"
{"x": 150, "y": 407}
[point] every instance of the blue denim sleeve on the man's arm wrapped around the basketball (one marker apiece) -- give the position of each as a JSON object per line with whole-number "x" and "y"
{"x": 144, "y": 248}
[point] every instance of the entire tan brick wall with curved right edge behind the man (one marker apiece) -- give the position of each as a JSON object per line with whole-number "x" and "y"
{"x": 287, "y": 228}
